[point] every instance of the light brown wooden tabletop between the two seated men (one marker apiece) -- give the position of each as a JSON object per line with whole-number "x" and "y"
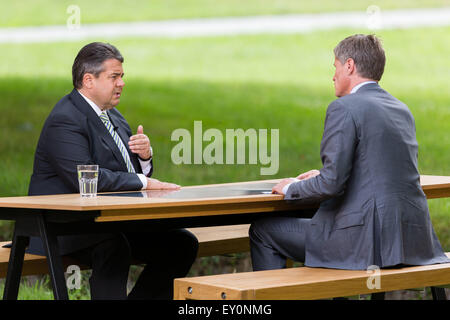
{"x": 237, "y": 197}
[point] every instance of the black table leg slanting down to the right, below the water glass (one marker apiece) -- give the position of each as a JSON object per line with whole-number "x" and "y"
{"x": 55, "y": 265}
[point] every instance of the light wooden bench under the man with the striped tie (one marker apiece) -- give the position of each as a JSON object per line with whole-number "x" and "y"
{"x": 212, "y": 241}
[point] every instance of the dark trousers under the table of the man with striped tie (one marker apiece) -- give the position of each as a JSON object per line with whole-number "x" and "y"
{"x": 167, "y": 255}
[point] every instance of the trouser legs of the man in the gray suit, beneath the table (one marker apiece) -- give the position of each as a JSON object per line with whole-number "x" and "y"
{"x": 274, "y": 239}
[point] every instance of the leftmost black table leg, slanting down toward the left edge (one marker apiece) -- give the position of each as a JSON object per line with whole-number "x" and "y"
{"x": 15, "y": 265}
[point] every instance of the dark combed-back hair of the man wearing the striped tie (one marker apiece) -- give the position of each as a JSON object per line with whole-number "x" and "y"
{"x": 90, "y": 60}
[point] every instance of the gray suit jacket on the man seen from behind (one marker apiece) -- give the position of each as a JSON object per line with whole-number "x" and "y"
{"x": 373, "y": 210}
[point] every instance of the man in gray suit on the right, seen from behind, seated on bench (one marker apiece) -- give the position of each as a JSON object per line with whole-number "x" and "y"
{"x": 372, "y": 208}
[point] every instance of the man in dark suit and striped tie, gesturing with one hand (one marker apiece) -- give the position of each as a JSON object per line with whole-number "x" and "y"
{"x": 84, "y": 127}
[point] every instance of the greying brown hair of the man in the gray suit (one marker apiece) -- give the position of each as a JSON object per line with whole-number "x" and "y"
{"x": 366, "y": 51}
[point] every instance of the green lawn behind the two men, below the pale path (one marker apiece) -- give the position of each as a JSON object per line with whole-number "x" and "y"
{"x": 266, "y": 81}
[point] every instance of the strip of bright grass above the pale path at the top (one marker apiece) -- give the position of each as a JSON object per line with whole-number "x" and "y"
{"x": 49, "y": 12}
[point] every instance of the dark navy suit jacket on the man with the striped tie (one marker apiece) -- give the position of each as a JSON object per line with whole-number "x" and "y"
{"x": 74, "y": 134}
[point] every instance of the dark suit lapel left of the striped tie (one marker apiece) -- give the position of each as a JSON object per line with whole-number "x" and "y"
{"x": 84, "y": 107}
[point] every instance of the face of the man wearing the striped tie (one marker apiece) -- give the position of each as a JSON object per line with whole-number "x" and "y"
{"x": 107, "y": 87}
